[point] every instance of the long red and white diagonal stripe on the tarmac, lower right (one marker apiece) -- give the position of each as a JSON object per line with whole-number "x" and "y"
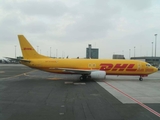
{"x": 135, "y": 100}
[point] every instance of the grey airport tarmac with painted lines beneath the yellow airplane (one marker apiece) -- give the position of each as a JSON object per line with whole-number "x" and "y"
{"x": 28, "y": 94}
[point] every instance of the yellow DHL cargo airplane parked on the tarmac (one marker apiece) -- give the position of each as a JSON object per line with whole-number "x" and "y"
{"x": 87, "y": 68}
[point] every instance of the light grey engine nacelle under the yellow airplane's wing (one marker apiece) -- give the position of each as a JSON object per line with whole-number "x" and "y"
{"x": 98, "y": 74}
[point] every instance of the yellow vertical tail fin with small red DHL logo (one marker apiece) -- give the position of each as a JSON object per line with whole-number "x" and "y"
{"x": 27, "y": 50}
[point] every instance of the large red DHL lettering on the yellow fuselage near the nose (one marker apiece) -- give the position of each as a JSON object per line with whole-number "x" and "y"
{"x": 119, "y": 67}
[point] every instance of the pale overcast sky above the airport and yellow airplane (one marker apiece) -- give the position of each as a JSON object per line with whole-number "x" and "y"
{"x": 68, "y": 26}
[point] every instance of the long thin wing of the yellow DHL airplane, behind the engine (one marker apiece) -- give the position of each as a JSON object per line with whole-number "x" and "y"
{"x": 74, "y": 71}
